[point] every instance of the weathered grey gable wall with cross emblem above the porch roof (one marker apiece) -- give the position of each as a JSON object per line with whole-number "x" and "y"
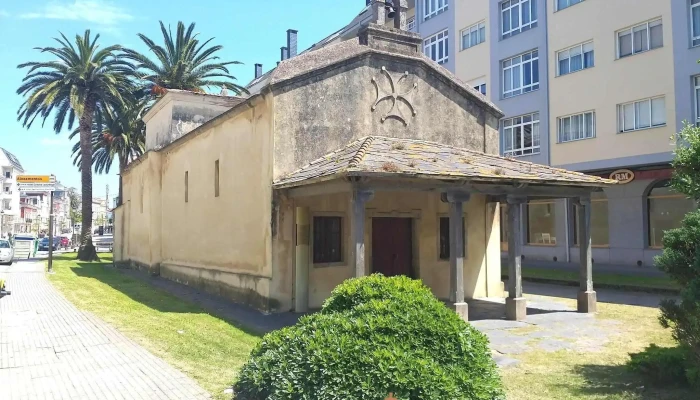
{"x": 333, "y": 108}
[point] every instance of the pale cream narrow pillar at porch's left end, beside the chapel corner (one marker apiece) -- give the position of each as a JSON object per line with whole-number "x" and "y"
{"x": 302, "y": 259}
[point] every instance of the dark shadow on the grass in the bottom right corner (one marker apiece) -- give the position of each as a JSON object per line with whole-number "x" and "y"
{"x": 604, "y": 381}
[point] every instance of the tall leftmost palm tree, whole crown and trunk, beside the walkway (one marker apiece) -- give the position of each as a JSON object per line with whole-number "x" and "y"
{"x": 79, "y": 83}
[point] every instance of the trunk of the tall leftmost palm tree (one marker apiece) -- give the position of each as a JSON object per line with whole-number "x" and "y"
{"x": 87, "y": 249}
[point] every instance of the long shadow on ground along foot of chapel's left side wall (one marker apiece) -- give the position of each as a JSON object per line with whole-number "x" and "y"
{"x": 167, "y": 296}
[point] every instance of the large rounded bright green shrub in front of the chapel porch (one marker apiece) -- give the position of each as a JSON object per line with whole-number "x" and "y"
{"x": 374, "y": 336}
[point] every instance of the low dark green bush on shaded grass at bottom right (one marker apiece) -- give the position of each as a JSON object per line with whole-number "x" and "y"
{"x": 661, "y": 365}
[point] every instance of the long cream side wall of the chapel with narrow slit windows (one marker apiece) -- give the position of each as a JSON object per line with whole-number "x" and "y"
{"x": 222, "y": 243}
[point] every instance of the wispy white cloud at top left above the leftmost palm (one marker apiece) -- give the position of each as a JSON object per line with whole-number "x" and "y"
{"x": 96, "y": 11}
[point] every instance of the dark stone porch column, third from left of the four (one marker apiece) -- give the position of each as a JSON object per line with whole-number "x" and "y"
{"x": 516, "y": 305}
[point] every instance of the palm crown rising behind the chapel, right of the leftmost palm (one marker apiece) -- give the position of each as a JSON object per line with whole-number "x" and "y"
{"x": 183, "y": 63}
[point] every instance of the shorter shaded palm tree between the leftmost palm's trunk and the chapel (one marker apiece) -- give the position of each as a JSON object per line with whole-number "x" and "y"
{"x": 122, "y": 136}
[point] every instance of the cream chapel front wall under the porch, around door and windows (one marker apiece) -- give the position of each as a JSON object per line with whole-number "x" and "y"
{"x": 482, "y": 274}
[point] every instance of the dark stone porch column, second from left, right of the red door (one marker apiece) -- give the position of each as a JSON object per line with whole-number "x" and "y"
{"x": 457, "y": 253}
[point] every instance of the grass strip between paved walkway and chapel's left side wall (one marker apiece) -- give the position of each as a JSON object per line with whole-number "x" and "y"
{"x": 209, "y": 349}
